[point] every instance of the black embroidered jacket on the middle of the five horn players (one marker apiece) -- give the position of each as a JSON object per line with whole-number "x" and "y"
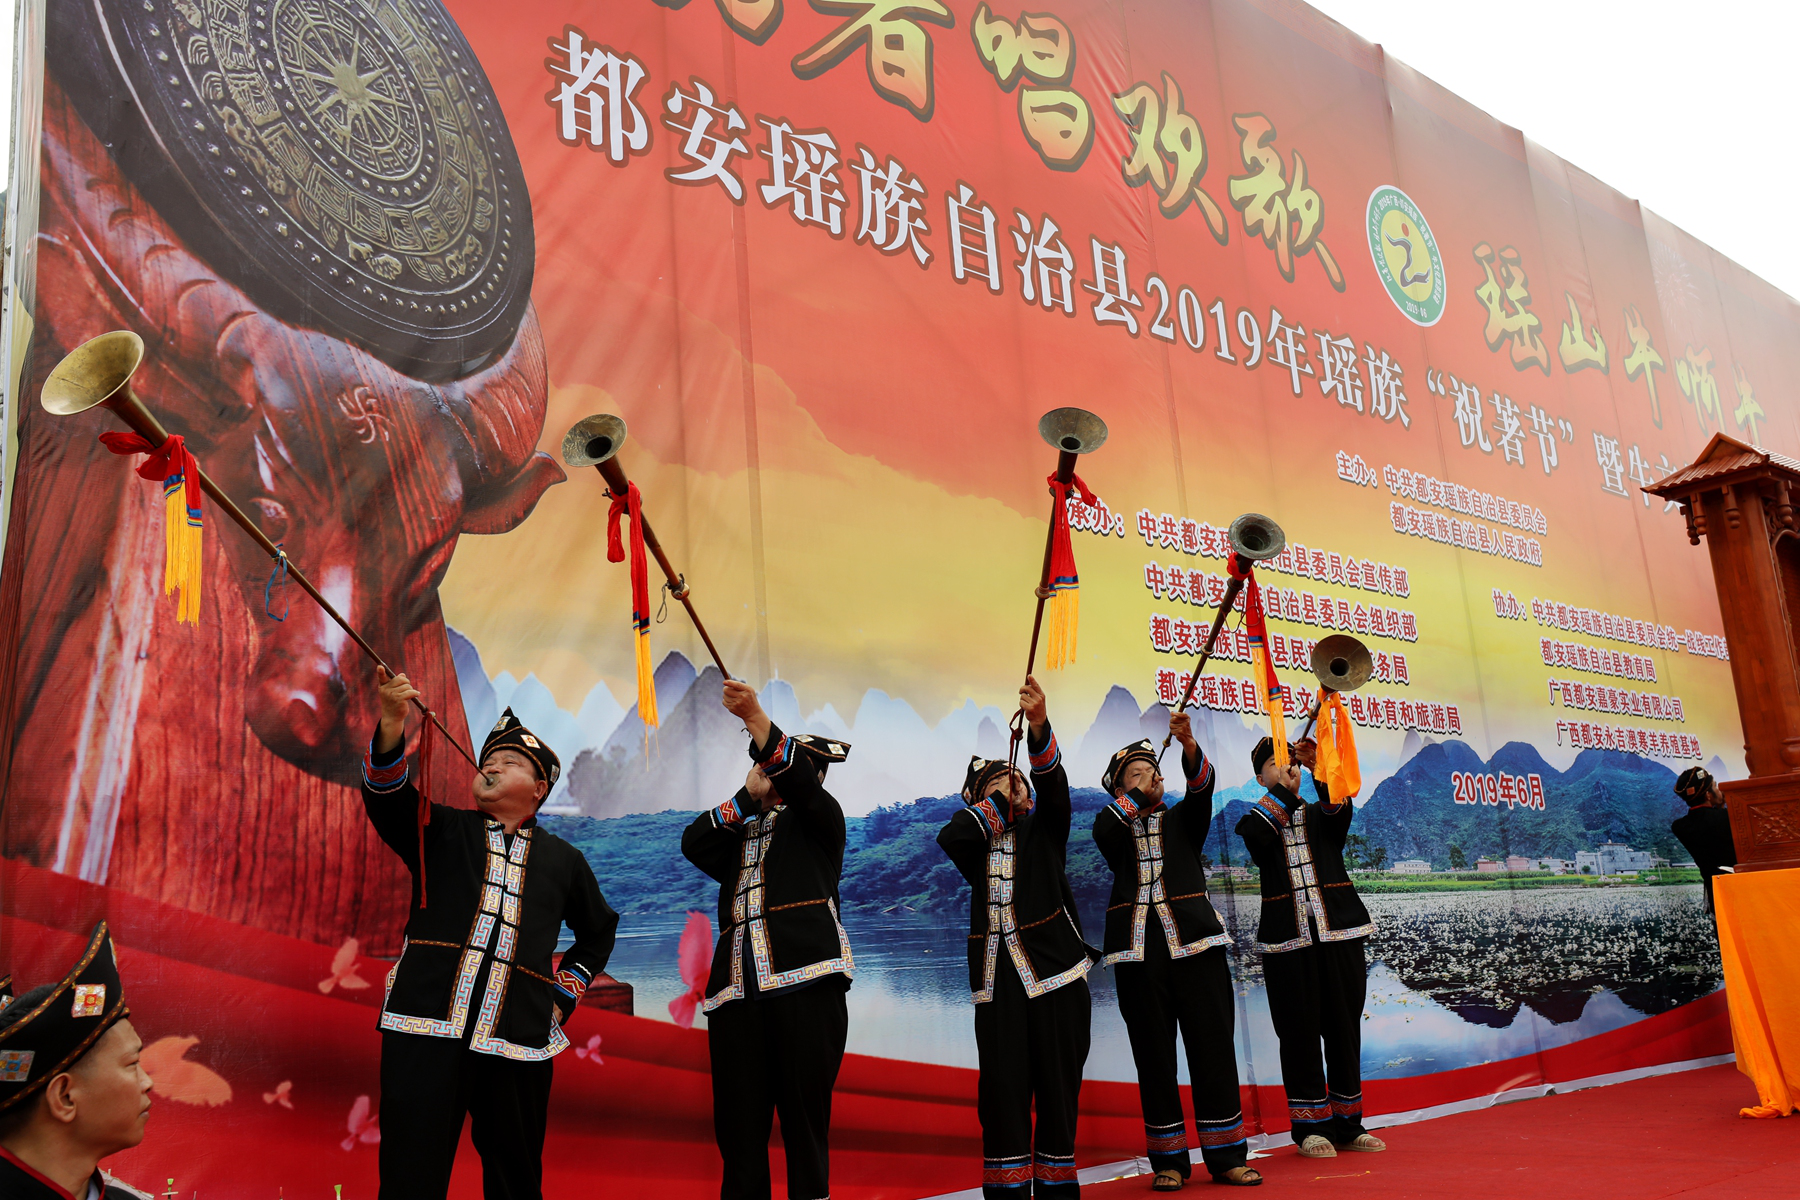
{"x": 1020, "y": 893}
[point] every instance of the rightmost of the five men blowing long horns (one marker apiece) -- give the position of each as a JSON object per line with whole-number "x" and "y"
{"x": 1313, "y": 936}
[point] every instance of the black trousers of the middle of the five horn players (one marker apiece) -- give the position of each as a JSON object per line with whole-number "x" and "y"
{"x": 1032, "y": 1053}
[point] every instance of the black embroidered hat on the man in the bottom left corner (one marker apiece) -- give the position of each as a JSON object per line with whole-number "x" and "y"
{"x": 48, "y": 1030}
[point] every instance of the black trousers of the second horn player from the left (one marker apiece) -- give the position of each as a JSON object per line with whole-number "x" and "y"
{"x": 777, "y": 1055}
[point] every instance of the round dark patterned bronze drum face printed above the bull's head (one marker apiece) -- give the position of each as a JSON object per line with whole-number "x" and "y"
{"x": 415, "y": 244}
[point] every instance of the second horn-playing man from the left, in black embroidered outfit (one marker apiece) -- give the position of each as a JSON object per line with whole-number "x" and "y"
{"x": 777, "y": 1016}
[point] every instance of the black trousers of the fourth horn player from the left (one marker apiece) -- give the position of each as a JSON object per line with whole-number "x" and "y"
{"x": 1194, "y": 994}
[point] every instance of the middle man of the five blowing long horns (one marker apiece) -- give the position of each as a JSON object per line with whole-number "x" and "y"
{"x": 1027, "y": 963}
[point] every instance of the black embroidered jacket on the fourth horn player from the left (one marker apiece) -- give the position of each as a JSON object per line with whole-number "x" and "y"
{"x": 1156, "y": 866}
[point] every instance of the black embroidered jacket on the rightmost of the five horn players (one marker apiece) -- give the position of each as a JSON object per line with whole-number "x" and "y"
{"x": 1300, "y": 855}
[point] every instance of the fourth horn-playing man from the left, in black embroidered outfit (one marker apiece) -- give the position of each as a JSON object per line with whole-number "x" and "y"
{"x": 1167, "y": 951}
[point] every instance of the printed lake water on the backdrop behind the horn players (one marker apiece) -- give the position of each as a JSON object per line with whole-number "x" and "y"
{"x": 1457, "y": 978}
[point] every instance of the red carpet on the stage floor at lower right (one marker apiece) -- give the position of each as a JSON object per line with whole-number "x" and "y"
{"x": 1668, "y": 1136}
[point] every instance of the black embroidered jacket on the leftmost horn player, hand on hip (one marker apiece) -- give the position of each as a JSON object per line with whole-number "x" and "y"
{"x": 478, "y": 958}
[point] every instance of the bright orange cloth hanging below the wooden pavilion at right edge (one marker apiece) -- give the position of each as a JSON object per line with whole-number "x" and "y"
{"x": 1759, "y": 940}
